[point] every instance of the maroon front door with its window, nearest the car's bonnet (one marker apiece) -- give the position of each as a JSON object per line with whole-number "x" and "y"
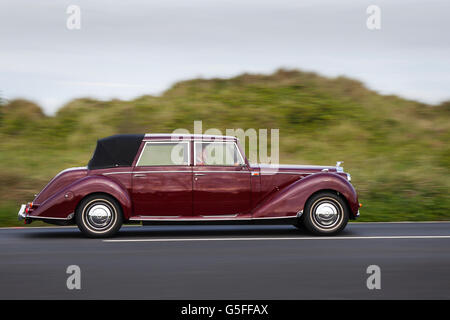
{"x": 221, "y": 183}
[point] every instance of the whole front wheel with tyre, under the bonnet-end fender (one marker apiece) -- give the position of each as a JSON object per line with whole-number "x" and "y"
{"x": 325, "y": 214}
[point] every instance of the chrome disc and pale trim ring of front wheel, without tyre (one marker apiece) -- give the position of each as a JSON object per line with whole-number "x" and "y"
{"x": 327, "y": 214}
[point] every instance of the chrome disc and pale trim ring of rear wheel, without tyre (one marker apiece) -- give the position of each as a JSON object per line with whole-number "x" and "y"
{"x": 99, "y": 216}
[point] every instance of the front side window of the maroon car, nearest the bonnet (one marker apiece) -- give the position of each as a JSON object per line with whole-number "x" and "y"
{"x": 217, "y": 154}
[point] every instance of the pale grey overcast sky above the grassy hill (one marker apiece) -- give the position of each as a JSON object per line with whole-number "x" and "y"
{"x": 129, "y": 48}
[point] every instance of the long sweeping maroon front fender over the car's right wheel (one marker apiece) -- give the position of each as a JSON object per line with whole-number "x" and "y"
{"x": 290, "y": 200}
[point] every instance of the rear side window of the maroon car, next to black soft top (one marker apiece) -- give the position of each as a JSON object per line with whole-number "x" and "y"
{"x": 164, "y": 154}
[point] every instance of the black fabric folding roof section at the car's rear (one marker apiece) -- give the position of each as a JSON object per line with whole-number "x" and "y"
{"x": 115, "y": 151}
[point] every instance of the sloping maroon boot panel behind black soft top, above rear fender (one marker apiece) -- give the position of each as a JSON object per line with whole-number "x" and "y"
{"x": 60, "y": 181}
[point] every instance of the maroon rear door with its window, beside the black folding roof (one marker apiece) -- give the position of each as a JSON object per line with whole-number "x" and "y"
{"x": 162, "y": 180}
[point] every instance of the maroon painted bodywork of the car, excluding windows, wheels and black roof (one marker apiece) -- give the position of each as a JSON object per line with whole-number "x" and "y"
{"x": 219, "y": 192}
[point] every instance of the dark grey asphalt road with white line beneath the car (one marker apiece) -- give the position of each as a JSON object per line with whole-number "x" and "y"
{"x": 228, "y": 262}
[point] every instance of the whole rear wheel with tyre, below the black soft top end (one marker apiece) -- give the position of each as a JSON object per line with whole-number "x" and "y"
{"x": 99, "y": 216}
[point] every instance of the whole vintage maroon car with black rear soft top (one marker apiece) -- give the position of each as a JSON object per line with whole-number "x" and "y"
{"x": 156, "y": 178}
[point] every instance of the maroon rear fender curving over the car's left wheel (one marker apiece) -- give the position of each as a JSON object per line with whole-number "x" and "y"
{"x": 64, "y": 202}
